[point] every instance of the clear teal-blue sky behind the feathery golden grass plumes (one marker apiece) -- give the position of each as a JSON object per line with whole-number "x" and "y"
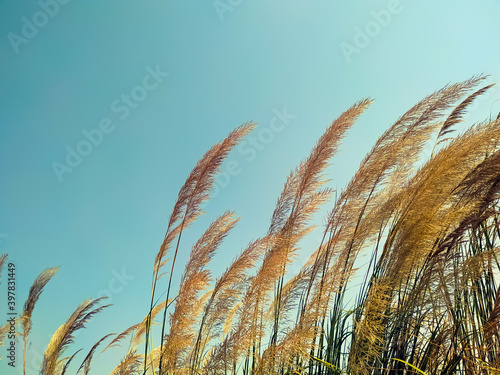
{"x": 105, "y": 107}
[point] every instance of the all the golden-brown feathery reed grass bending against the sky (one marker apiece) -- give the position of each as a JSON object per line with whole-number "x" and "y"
{"x": 429, "y": 300}
